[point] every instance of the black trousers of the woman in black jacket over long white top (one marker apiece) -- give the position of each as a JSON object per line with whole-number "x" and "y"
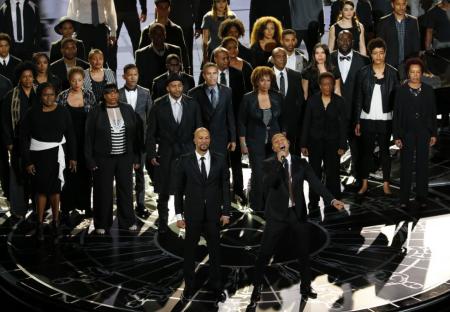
{"x": 371, "y": 132}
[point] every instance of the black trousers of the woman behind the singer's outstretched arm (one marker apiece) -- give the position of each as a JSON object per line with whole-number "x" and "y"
{"x": 325, "y": 151}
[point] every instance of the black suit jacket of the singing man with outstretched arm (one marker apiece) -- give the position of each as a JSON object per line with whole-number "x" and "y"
{"x": 276, "y": 188}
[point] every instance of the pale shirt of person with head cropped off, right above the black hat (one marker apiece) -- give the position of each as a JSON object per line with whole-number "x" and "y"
{"x": 80, "y": 10}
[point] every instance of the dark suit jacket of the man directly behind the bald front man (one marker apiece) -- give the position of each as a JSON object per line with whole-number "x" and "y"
{"x": 219, "y": 121}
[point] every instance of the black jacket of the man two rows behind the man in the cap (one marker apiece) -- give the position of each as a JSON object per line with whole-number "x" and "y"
{"x": 151, "y": 65}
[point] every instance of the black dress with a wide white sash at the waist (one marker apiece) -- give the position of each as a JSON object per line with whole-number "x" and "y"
{"x": 47, "y": 127}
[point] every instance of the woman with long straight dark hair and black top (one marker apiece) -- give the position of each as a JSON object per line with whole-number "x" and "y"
{"x": 320, "y": 63}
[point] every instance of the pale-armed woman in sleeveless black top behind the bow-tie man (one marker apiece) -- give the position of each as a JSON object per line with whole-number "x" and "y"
{"x": 348, "y": 20}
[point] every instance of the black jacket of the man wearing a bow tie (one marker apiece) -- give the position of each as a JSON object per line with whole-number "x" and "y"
{"x": 348, "y": 87}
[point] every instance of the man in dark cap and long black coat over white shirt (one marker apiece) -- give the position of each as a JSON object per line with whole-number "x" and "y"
{"x": 172, "y": 122}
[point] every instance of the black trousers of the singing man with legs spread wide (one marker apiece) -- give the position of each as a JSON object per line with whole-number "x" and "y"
{"x": 272, "y": 236}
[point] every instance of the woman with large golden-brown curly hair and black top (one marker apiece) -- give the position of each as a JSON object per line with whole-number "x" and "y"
{"x": 265, "y": 37}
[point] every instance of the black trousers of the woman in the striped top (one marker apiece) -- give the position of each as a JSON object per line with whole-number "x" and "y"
{"x": 120, "y": 169}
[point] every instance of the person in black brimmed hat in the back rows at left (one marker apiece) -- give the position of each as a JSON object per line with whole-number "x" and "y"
{"x": 66, "y": 27}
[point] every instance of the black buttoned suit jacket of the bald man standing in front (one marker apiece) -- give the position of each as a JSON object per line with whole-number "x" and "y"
{"x": 198, "y": 199}
